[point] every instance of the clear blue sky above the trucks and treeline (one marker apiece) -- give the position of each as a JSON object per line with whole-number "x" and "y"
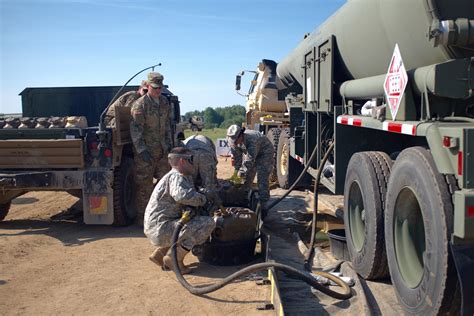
{"x": 202, "y": 44}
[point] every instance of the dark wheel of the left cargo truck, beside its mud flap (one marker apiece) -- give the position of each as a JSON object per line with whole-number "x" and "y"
{"x": 124, "y": 192}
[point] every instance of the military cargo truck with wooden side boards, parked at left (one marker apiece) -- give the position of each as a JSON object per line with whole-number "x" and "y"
{"x": 58, "y": 146}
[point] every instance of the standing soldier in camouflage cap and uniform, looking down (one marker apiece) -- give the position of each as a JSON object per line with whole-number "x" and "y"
{"x": 150, "y": 129}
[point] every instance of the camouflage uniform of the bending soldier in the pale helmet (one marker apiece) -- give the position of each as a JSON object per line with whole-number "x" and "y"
{"x": 257, "y": 152}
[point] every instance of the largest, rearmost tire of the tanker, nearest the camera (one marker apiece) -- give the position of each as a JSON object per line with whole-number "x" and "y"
{"x": 418, "y": 227}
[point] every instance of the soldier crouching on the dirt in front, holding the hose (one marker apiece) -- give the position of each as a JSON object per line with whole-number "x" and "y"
{"x": 172, "y": 194}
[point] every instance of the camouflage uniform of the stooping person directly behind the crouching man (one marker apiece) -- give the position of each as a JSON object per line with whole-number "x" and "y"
{"x": 204, "y": 160}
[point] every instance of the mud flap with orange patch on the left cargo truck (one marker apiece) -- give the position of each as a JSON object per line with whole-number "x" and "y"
{"x": 98, "y": 197}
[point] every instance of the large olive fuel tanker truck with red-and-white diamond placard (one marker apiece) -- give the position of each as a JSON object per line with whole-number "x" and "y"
{"x": 379, "y": 99}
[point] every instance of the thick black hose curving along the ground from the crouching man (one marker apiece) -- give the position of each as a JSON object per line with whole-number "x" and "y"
{"x": 305, "y": 276}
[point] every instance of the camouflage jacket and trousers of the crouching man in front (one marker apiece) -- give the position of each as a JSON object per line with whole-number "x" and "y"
{"x": 172, "y": 193}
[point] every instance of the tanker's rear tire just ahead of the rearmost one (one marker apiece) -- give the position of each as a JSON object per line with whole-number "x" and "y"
{"x": 364, "y": 196}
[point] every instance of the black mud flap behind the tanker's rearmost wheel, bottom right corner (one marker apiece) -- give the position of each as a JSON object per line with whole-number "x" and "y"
{"x": 464, "y": 259}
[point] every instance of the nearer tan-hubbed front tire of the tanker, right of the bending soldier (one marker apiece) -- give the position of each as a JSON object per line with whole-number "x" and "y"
{"x": 288, "y": 169}
